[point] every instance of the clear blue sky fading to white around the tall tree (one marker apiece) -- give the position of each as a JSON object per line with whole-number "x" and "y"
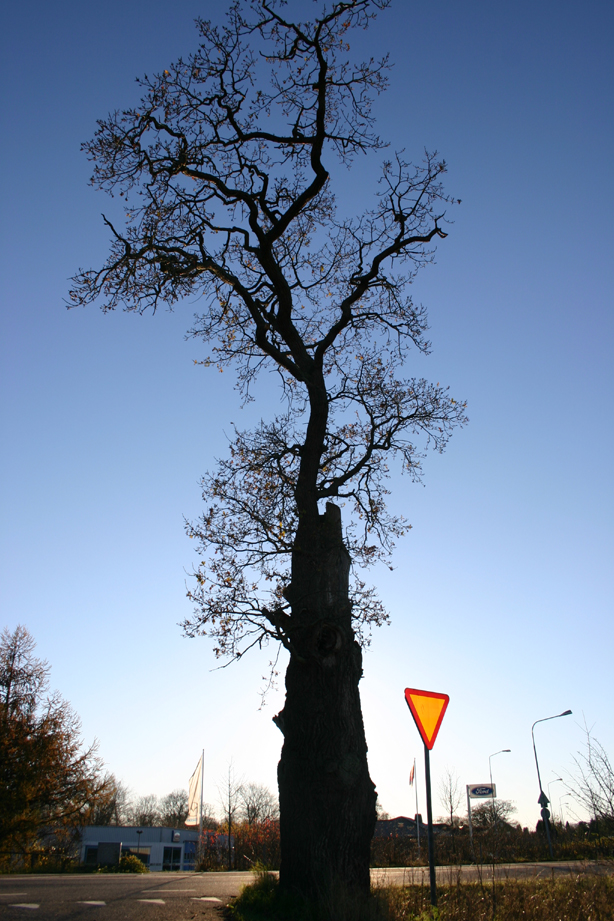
{"x": 502, "y": 593}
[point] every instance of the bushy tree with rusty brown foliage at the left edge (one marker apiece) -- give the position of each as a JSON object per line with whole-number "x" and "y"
{"x": 49, "y": 784}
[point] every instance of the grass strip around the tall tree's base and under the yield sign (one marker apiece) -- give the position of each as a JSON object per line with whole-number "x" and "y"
{"x": 581, "y": 898}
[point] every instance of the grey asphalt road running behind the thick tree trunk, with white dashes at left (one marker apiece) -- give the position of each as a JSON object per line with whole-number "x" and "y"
{"x": 201, "y": 896}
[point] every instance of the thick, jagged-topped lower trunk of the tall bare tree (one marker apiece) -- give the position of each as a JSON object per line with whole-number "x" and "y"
{"x": 326, "y": 797}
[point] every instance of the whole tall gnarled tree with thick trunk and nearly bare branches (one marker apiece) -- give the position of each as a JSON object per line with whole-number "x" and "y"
{"x": 227, "y": 166}
